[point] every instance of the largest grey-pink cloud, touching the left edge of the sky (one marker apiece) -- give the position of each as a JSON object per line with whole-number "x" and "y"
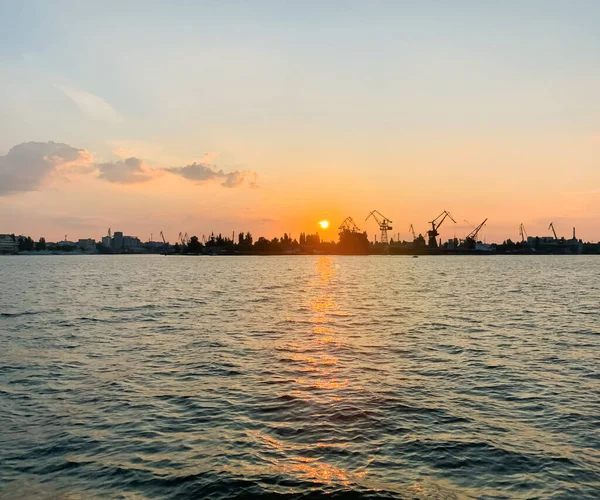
{"x": 27, "y": 165}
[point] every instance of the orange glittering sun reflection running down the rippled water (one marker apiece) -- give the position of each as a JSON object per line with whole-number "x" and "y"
{"x": 321, "y": 383}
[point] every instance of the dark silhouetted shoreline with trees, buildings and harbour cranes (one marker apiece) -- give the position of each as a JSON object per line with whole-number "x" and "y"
{"x": 351, "y": 240}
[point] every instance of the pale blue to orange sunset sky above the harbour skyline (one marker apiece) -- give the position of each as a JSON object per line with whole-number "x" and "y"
{"x": 198, "y": 116}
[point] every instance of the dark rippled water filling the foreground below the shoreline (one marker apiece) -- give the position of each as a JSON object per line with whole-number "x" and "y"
{"x": 343, "y": 377}
